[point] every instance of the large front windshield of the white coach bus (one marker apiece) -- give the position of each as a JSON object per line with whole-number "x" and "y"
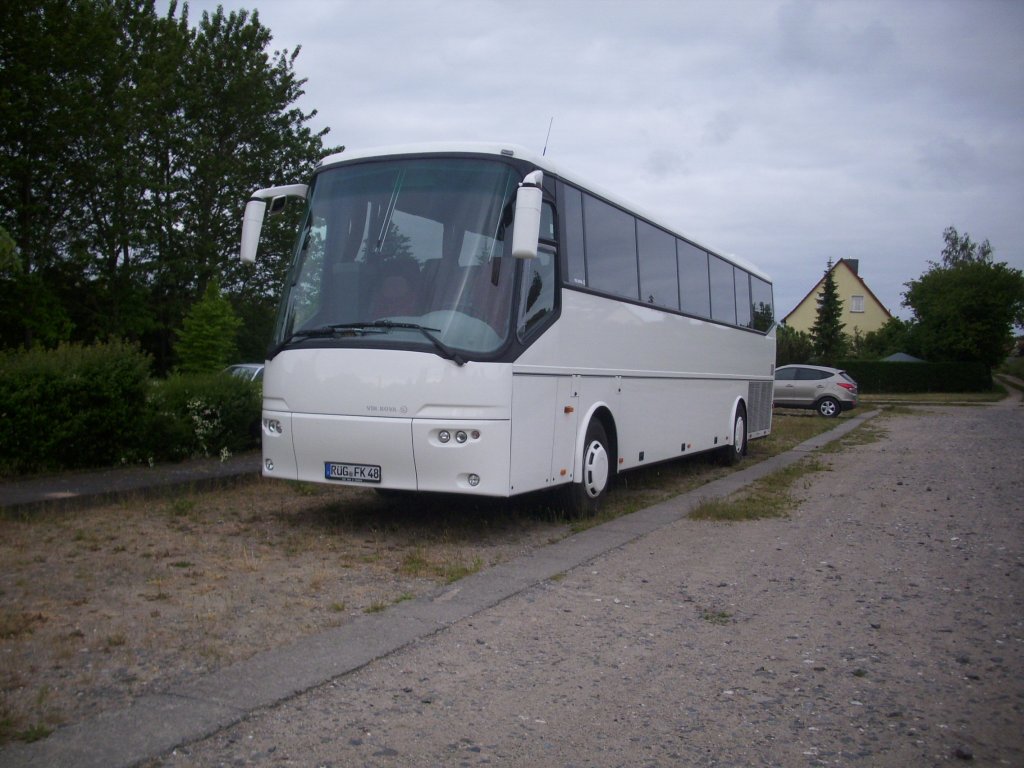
{"x": 405, "y": 253}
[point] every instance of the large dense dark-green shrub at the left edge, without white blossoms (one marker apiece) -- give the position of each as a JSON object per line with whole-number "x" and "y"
{"x": 72, "y": 407}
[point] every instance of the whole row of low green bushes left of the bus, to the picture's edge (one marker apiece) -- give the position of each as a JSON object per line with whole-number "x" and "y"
{"x": 78, "y": 407}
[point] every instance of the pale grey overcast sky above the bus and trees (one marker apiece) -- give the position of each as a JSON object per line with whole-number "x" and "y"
{"x": 787, "y": 133}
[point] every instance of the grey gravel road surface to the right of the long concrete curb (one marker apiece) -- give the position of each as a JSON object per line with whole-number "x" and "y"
{"x": 880, "y": 625}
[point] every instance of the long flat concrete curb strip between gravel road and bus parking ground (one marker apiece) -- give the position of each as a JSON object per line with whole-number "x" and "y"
{"x": 155, "y": 726}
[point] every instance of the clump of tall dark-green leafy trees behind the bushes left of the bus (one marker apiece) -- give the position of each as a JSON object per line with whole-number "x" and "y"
{"x": 130, "y": 145}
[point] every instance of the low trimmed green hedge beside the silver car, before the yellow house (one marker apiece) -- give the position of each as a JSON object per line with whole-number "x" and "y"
{"x": 875, "y": 377}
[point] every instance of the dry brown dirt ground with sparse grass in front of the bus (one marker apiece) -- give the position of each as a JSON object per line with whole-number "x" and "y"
{"x": 101, "y": 606}
